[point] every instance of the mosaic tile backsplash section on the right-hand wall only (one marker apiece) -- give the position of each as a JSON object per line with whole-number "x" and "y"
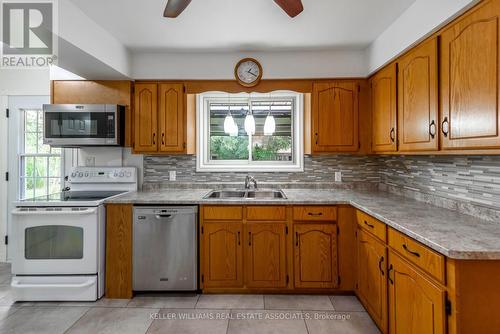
{"x": 468, "y": 179}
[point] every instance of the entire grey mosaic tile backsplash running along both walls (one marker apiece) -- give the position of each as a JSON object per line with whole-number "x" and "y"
{"x": 455, "y": 182}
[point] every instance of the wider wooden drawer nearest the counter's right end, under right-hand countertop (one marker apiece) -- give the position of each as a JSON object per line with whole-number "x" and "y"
{"x": 425, "y": 258}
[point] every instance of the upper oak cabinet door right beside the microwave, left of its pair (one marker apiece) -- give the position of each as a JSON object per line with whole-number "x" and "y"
{"x": 145, "y": 115}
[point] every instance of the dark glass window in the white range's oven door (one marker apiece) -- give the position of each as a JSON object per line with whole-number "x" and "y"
{"x": 51, "y": 242}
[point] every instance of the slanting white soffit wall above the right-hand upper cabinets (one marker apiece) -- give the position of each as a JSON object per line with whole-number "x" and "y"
{"x": 418, "y": 21}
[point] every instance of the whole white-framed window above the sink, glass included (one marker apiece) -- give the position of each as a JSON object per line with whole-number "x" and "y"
{"x": 250, "y": 132}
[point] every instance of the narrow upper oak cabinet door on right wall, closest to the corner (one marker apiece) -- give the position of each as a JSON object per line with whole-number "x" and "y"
{"x": 383, "y": 91}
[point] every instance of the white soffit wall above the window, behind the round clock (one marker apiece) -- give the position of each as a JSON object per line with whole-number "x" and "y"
{"x": 276, "y": 65}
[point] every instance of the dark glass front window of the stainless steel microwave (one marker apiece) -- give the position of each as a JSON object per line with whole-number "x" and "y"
{"x": 79, "y": 125}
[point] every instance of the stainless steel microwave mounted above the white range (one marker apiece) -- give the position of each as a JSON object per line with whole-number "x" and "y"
{"x": 76, "y": 125}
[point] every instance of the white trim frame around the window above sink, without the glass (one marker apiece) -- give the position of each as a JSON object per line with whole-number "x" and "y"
{"x": 202, "y": 160}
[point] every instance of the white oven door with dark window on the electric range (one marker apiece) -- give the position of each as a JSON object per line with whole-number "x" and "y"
{"x": 50, "y": 241}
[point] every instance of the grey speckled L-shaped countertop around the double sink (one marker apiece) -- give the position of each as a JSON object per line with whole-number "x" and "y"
{"x": 448, "y": 232}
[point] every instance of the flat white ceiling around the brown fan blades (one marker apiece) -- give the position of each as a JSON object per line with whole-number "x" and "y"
{"x": 244, "y": 25}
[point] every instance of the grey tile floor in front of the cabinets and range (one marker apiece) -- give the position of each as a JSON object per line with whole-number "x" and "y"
{"x": 207, "y": 314}
